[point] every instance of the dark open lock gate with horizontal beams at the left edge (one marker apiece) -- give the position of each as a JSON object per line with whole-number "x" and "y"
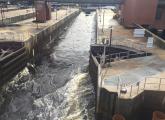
{"x": 12, "y": 63}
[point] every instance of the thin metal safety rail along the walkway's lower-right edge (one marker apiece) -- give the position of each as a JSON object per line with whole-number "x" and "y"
{"x": 129, "y": 90}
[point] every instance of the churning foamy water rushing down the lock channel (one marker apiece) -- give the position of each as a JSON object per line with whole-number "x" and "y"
{"x": 61, "y": 88}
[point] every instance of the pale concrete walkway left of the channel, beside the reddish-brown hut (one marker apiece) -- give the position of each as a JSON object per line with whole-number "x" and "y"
{"x": 22, "y": 31}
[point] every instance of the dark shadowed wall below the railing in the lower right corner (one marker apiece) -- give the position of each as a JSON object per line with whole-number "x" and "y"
{"x": 142, "y": 106}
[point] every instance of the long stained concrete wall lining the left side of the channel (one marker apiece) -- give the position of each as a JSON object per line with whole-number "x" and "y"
{"x": 35, "y": 44}
